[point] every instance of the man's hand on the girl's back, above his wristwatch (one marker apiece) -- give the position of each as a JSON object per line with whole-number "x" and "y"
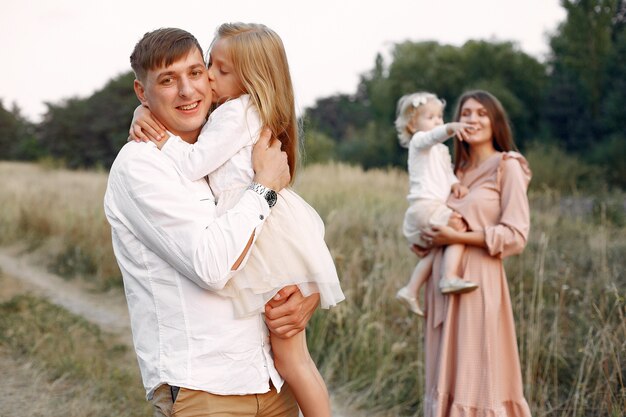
{"x": 270, "y": 163}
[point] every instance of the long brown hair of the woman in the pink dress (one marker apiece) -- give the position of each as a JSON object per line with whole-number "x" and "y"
{"x": 502, "y": 137}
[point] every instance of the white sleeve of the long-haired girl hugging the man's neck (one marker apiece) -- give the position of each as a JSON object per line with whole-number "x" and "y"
{"x": 231, "y": 127}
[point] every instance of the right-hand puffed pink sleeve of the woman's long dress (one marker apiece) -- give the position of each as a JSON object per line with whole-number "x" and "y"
{"x": 509, "y": 236}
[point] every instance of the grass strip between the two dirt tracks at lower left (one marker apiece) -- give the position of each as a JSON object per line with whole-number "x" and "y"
{"x": 90, "y": 365}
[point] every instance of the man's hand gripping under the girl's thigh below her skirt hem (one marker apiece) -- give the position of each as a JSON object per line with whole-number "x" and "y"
{"x": 288, "y": 313}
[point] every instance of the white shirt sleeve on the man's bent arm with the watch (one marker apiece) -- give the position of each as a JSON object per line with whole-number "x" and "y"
{"x": 147, "y": 196}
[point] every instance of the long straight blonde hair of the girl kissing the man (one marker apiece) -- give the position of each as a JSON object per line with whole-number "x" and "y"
{"x": 260, "y": 62}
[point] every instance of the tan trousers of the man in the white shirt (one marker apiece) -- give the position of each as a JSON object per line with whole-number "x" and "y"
{"x": 191, "y": 403}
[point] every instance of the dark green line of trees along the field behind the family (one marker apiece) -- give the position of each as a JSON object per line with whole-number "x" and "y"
{"x": 575, "y": 100}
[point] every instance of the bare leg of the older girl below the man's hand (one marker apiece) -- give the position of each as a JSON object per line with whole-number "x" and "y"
{"x": 293, "y": 362}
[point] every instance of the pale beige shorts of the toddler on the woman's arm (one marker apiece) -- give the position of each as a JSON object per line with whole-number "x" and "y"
{"x": 421, "y": 215}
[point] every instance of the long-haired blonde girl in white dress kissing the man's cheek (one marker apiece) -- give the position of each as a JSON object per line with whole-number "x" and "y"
{"x": 251, "y": 85}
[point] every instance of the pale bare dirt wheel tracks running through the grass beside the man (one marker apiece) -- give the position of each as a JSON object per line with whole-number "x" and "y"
{"x": 108, "y": 310}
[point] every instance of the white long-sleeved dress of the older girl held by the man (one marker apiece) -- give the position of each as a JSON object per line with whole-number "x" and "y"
{"x": 290, "y": 249}
